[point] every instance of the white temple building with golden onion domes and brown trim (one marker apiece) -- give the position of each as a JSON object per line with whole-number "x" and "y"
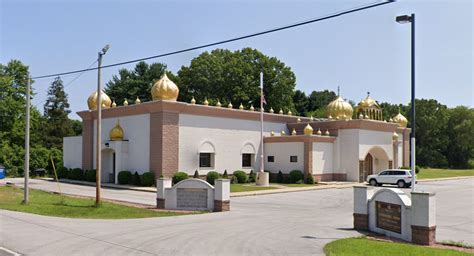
{"x": 165, "y": 136}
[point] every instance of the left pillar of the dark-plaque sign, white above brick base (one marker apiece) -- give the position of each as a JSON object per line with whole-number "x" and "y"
{"x": 362, "y": 194}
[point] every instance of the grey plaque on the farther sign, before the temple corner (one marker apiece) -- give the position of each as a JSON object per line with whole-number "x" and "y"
{"x": 191, "y": 198}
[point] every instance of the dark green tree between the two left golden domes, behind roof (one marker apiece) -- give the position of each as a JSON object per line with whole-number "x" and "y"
{"x": 130, "y": 84}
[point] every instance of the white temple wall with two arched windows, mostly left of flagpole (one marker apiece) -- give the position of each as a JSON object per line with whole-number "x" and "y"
{"x": 228, "y": 137}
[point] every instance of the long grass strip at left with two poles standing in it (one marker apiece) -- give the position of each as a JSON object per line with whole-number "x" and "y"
{"x": 45, "y": 203}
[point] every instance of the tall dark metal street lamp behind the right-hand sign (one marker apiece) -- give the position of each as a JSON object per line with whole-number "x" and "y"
{"x": 402, "y": 20}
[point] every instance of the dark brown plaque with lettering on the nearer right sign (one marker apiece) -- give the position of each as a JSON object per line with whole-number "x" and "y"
{"x": 389, "y": 216}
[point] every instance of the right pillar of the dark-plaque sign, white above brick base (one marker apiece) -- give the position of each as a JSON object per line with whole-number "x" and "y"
{"x": 423, "y": 225}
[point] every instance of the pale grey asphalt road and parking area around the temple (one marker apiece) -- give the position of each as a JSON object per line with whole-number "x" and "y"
{"x": 298, "y": 223}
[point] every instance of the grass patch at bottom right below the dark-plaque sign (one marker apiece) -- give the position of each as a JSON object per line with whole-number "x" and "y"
{"x": 365, "y": 247}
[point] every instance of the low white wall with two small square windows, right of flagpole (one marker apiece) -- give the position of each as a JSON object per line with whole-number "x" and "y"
{"x": 282, "y": 153}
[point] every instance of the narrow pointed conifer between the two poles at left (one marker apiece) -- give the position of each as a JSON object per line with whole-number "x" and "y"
{"x": 56, "y": 110}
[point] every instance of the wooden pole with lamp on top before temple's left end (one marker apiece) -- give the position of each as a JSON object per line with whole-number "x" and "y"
{"x": 98, "y": 160}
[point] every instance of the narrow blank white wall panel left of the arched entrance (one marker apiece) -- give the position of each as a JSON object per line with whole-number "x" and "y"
{"x": 322, "y": 158}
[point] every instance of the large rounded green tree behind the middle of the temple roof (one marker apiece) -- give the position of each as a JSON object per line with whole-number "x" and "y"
{"x": 235, "y": 76}
